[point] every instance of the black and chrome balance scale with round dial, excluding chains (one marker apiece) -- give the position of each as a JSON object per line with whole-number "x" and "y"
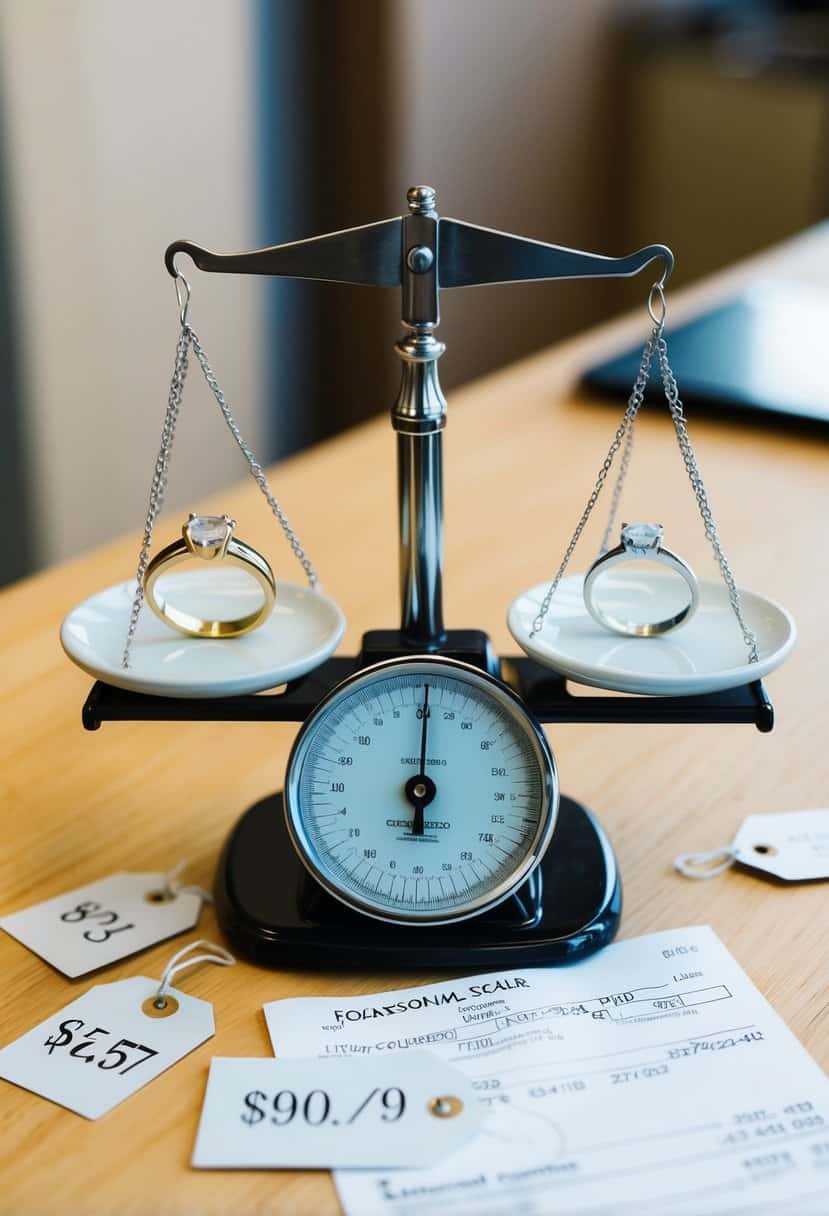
{"x": 402, "y": 740}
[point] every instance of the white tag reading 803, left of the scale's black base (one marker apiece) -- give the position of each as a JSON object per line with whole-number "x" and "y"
{"x": 98, "y": 925}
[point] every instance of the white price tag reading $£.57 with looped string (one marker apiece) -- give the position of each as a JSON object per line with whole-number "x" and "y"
{"x": 106, "y": 1045}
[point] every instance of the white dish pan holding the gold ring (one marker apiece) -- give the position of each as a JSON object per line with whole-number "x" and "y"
{"x": 302, "y": 633}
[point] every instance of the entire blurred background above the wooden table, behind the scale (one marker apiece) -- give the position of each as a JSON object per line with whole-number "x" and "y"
{"x": 601, "y": 125}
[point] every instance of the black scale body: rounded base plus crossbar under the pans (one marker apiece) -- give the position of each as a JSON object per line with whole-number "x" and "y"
{"x": 274, "y": 913}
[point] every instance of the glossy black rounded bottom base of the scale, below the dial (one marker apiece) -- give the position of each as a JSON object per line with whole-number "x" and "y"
{"x": 275, "y": 914}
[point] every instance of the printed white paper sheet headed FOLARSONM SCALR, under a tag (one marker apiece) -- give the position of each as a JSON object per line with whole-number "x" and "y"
{"x": 651, "y": 1078}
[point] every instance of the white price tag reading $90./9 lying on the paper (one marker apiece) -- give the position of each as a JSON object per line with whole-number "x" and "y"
{"x": 375, "y": 1112}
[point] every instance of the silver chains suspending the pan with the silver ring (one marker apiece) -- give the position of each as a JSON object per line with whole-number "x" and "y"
{"x": 658, "y": 346}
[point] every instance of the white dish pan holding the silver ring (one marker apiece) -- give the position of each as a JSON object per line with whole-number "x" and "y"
{"x": 708, "y": 655}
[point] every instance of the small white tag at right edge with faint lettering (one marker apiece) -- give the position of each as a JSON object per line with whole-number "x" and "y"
{"x": 791, "y": 845}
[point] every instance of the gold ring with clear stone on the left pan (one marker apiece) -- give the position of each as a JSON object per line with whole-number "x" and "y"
{"x": 210, "y": 539}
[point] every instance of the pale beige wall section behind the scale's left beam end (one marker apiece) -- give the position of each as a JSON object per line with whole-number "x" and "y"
{"x": 125, "y": 126}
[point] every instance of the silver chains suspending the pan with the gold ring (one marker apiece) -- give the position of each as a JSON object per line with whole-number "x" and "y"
{"x": 189, "y": 337}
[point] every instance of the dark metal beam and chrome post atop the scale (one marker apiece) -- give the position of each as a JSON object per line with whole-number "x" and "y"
{"x": 421, "y": 254}
